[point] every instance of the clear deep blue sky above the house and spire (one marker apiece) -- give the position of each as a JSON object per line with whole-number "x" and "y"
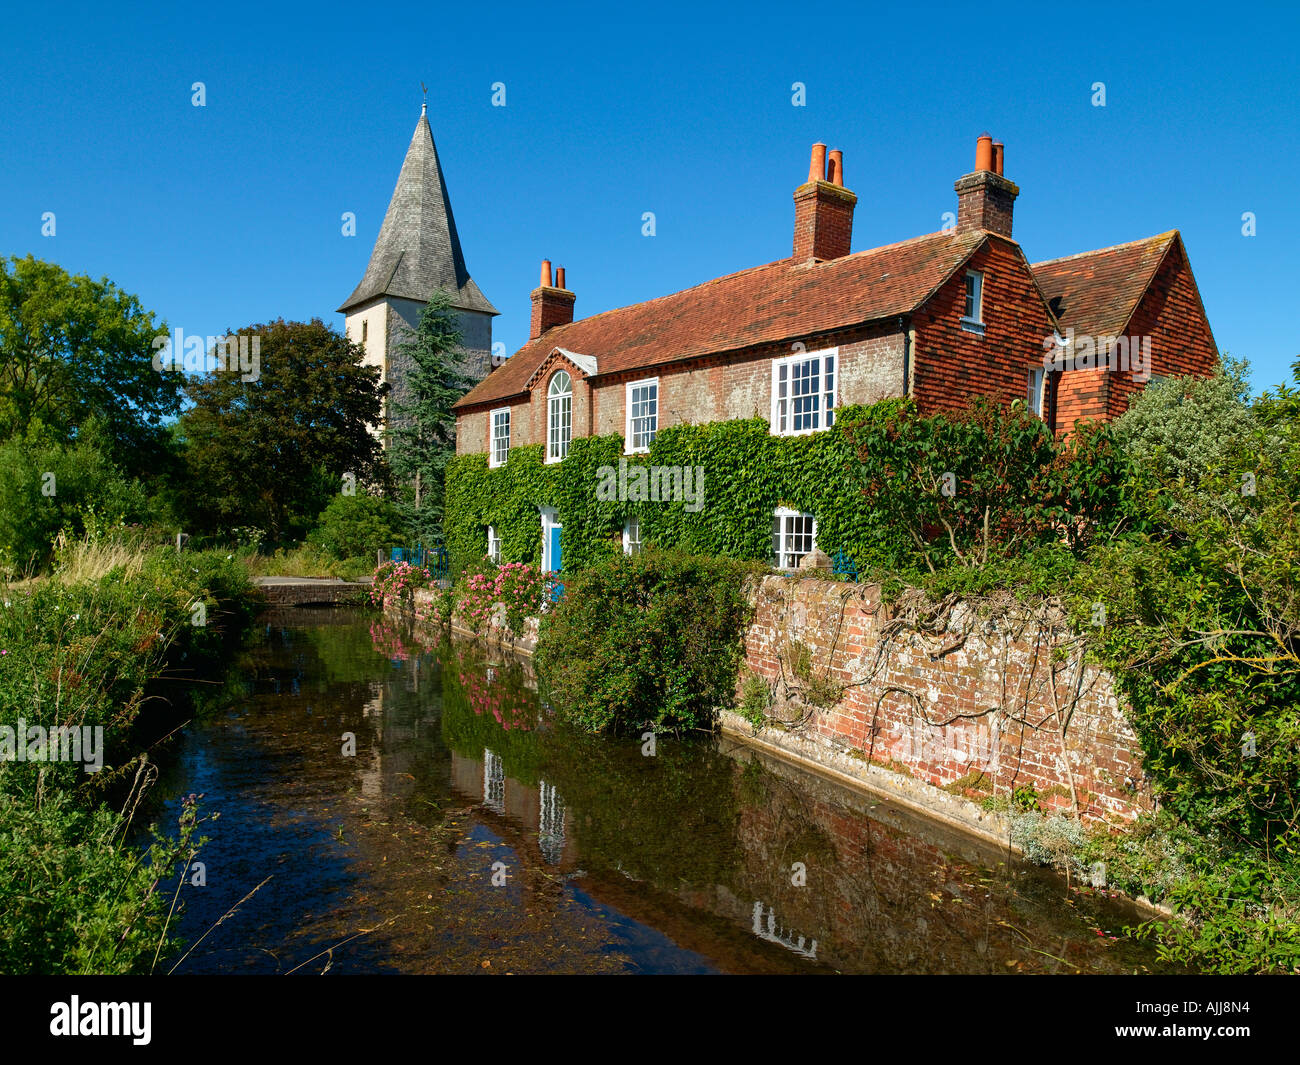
{"x": 231, "y": 214}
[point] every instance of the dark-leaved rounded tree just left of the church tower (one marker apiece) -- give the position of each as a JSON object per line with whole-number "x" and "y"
{"x": 271, "y": 453}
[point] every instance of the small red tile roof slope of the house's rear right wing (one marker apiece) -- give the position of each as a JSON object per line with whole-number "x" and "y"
{"x": 1099, "y": 291}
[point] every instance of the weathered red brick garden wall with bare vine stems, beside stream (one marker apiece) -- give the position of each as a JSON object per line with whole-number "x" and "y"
{"x": 902, "y": 695}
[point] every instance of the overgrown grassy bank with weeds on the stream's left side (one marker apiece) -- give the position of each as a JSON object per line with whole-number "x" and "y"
{"x": 79, "y": 655}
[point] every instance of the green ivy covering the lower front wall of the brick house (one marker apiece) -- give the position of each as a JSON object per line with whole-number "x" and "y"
{"x": 748, "y": 474}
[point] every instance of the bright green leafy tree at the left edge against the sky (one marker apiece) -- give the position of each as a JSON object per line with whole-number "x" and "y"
{"x": 72, "y": 349}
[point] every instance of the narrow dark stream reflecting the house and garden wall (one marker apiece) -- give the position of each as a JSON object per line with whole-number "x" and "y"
{"x": 470, "y": 833}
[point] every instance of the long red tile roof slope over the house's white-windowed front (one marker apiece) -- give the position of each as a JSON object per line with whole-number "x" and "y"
{"x": 765, "y": 305}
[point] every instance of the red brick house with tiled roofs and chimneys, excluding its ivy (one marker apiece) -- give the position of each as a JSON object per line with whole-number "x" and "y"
{"x": 941, "y": 318}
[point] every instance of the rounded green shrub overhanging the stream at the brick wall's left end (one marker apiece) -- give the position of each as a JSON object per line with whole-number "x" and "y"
{"x": 652, "y": 640}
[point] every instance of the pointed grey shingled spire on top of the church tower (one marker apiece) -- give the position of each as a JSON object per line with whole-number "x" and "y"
{"x": 418, "y": 250}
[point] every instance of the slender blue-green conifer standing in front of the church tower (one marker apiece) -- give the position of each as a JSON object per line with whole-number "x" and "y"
{"x": 423, "y": 426}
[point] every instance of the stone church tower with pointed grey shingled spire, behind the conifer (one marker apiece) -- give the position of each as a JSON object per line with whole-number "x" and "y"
{"x": 418, "y": 253}
